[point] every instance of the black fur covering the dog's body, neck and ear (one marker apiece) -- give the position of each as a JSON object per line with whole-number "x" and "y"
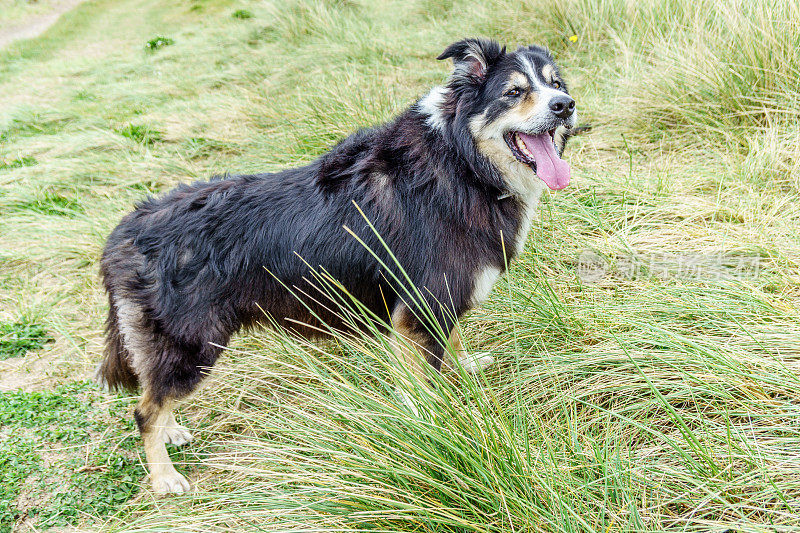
{"x": 192, "y": 267}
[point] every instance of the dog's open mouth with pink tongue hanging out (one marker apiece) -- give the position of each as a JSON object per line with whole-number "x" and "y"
{"x": 539, "y": 153}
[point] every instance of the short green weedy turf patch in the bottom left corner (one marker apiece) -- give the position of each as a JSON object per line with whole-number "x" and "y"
{"x": 61, "y": 459}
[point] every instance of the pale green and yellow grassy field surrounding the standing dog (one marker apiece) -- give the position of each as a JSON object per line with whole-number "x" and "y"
{"x": 648, "y": 338}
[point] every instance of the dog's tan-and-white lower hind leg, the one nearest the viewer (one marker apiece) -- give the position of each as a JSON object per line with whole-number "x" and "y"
{"x": 154, "y": 416}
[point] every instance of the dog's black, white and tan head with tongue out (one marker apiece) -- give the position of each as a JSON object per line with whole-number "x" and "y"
{"x": 514, "y": 105}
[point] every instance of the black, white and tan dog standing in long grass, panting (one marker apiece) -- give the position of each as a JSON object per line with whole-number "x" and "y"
{"x": 446, "y": 190}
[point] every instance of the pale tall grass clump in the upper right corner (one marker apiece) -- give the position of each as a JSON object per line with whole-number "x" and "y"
{"x": 722, "y": 74}
